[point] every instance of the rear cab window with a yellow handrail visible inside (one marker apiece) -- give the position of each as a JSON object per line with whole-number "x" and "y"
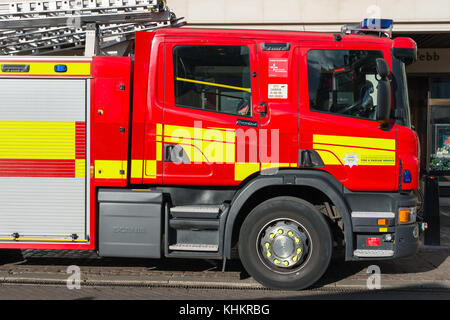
{"x": 214, "y": 78}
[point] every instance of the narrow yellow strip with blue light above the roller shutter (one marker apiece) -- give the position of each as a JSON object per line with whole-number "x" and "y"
{"x": 48, "y": 68}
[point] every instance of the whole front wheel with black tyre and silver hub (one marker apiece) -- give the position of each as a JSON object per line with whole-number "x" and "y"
{"x": 285, "y": 243}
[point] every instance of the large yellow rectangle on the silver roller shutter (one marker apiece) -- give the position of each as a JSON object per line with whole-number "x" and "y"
{"x": 37, "y": 140}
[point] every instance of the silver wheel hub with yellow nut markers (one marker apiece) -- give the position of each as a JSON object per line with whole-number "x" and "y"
{"x": 283, "y": 244}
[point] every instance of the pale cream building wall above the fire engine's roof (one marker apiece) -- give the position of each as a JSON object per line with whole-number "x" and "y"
{"x": 314, "y": 15}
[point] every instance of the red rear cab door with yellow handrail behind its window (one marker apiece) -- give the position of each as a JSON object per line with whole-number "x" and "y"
{"x": 210, "y": 130}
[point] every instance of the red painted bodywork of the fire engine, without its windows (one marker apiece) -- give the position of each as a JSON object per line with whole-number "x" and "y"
{"x": 147, "y": 85}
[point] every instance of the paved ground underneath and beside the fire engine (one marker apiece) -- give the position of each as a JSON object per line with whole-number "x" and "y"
{"x": 429, "y": 269}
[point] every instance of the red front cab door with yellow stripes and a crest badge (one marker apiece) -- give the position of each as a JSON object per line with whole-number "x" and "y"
{"x": 338, "y": 114}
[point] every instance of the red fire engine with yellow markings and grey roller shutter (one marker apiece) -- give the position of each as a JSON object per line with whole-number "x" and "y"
{"x": 285, "y": 145}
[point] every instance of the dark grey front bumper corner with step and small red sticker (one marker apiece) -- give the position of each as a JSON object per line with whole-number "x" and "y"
{"x": 373, "y": 241}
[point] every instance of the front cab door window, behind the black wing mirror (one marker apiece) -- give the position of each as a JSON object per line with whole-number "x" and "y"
{"x": 343, "y": 82}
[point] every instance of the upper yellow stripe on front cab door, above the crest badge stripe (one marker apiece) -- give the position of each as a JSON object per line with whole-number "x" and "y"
{"x": 387, "y": 144}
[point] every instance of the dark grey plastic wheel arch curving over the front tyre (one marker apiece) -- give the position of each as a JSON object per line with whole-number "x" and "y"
{"x": 253, "y": 191}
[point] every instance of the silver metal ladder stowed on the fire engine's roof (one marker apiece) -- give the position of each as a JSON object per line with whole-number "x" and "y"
{"x": 98, "y": 26}
